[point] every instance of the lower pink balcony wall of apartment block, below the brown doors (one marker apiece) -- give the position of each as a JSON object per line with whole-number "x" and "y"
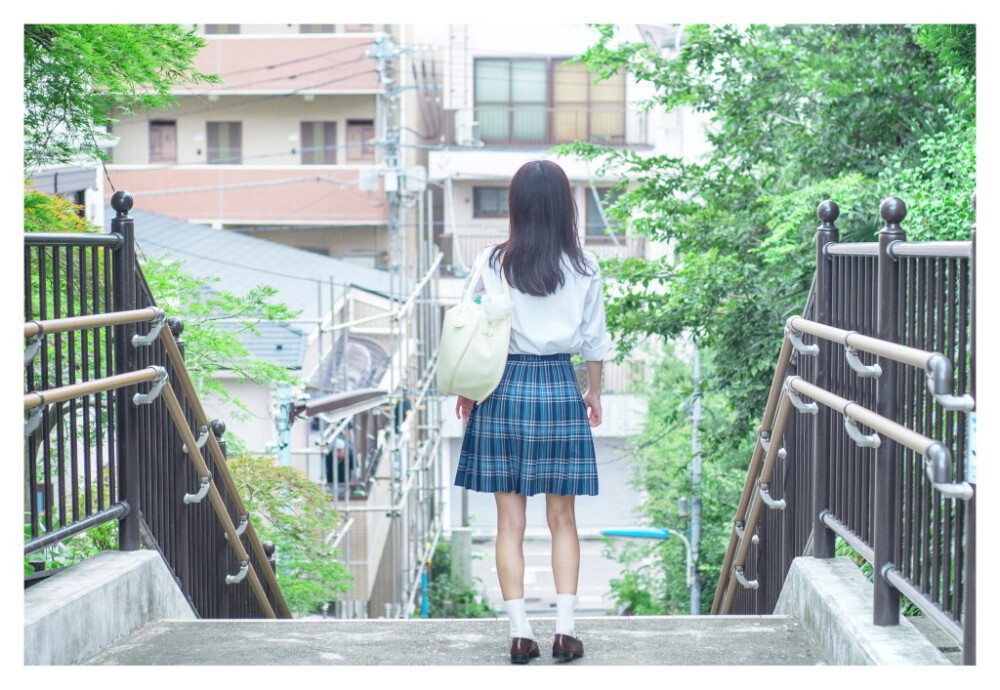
{"x": 243, "y": 195}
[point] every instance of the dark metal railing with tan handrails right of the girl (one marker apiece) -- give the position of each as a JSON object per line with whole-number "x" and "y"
{"x": 883, "y": 457}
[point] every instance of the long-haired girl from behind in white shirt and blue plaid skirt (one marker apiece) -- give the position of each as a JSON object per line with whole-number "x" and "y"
{"x": 532, "y": 434}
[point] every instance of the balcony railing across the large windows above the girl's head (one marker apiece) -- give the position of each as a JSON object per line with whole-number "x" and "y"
{"x": 529, "y": 126}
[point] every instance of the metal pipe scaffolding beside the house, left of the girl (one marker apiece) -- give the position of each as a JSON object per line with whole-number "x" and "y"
{"x": 392, "y": 490}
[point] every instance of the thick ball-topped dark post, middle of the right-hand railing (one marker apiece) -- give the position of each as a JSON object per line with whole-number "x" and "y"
{"x": 889, "y": 454}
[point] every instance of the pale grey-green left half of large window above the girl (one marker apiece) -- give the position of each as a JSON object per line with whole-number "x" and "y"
{"x": 511, "y": 98}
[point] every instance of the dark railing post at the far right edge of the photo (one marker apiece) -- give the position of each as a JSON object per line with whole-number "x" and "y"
{"x": 969, "y": 624}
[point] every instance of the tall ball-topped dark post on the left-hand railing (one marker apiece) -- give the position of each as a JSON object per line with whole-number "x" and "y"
{"x": 126, "y": 441}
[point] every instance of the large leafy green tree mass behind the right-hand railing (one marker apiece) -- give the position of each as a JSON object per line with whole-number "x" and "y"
{"x": 796, "y": 114}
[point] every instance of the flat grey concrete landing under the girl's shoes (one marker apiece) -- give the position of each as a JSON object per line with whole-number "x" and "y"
{"x": 608, "y": 641}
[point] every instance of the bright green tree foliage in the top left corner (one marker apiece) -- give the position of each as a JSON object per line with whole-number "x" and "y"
{"x": 77, "y": 75}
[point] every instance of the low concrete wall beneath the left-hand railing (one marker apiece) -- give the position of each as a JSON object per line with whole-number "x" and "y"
{"x": 77, "y": 613}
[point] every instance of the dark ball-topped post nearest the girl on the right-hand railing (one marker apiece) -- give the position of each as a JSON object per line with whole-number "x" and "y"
{"x": 826, "y": 233}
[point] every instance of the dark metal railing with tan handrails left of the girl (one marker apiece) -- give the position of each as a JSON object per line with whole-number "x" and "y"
{"x": 111, "y": 452}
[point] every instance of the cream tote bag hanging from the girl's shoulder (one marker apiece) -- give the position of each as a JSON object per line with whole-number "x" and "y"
{"x": 474, "y": 341}
